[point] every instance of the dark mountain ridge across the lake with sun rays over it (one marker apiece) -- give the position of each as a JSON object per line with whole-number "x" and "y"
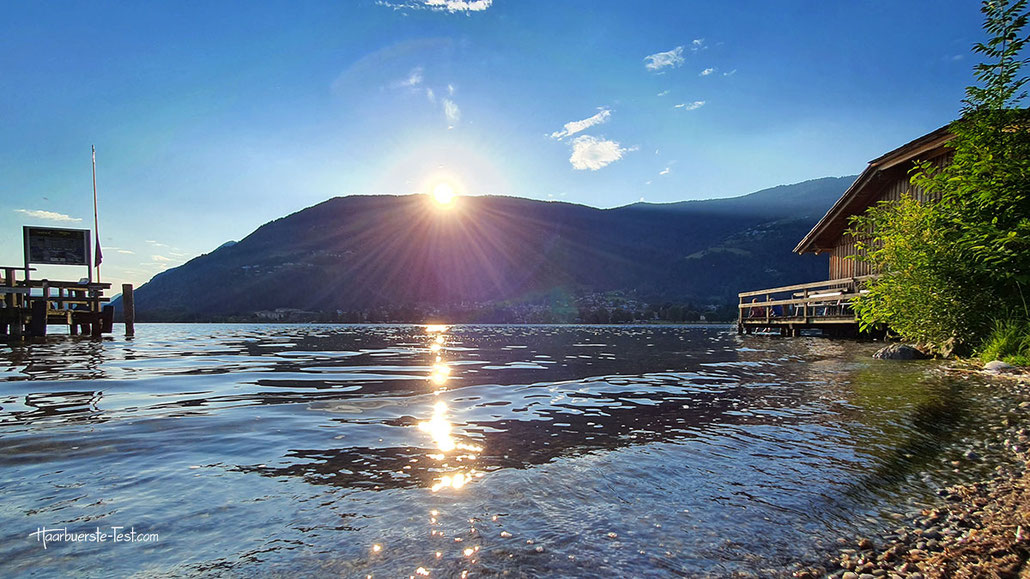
{"x": 371, "y": 252}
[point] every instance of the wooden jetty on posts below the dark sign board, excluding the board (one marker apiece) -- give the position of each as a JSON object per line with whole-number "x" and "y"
{"x": 29, "y": 306}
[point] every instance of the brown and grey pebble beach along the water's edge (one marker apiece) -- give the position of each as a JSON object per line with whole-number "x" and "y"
{"x": 975, "y": 530}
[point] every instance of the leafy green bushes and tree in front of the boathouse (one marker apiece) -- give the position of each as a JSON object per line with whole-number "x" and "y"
{"x": 949, "y": 267}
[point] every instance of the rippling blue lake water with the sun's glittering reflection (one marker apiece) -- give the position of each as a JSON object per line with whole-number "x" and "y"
{"x": 410, "y": 451}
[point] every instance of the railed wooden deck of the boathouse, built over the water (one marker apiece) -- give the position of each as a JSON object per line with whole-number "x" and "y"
{"x": 792, "y": 310}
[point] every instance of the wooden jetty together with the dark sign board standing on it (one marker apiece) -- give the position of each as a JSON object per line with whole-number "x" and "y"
{"x": 28, "y": 306}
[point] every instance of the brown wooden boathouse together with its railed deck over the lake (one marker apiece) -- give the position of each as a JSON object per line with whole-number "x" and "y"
{"x": 827, "y": 305}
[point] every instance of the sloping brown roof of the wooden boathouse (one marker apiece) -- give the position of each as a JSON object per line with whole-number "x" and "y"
{"x": 868, "y": 189}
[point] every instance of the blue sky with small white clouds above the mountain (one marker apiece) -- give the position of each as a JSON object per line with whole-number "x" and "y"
{"x": 214, "y": 118}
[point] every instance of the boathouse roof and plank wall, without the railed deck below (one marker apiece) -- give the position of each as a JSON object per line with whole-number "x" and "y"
{"x": 887, "y": 179}
